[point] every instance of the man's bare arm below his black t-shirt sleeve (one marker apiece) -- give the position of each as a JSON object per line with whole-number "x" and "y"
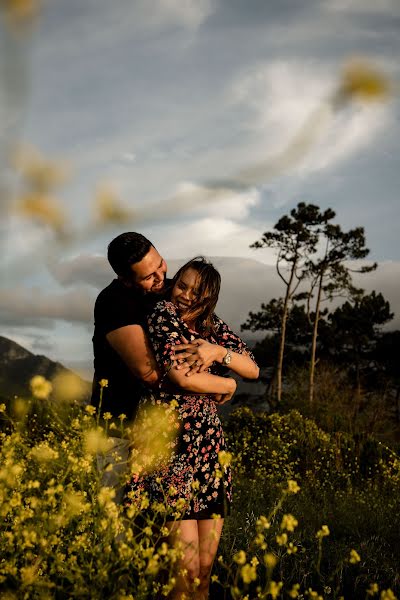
{"x": 134, "y": 348}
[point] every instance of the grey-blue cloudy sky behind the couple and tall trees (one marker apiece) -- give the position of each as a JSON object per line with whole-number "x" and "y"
{"x": 155, "y": 99}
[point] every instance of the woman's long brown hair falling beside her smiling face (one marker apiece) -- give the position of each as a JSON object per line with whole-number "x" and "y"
{"x": 209, "y": 283}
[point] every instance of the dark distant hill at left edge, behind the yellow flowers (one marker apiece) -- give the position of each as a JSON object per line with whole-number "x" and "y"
{"x": 18, "y": 366}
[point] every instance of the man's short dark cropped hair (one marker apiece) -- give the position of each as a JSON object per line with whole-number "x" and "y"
{"x": 126, "y": 250}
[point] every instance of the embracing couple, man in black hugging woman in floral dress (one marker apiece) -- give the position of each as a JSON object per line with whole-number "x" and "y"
{"x": 159, "y": 341}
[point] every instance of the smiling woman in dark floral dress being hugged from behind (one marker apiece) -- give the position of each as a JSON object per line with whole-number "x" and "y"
{"x": 196, "y": 481}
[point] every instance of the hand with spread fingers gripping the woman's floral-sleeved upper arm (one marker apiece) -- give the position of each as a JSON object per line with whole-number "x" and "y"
{"x": 197, "y": 355}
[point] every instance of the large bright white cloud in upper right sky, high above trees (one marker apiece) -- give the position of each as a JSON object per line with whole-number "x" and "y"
{"x": 283, "y": 97}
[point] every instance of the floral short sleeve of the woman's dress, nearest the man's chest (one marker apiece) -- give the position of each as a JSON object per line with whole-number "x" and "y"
{"x": 165, "y": 329}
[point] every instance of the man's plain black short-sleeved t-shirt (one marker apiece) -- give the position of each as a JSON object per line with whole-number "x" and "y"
{"x": 116, "y": 306}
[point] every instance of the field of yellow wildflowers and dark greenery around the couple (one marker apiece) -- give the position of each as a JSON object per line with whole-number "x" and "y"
{"x": 315, "y": 514}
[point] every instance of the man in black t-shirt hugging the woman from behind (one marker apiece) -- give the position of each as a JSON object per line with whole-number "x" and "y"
{"x": 122, "y": 353}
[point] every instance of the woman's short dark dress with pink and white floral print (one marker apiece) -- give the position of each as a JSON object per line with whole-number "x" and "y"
{"x": 192, "y": 479}
